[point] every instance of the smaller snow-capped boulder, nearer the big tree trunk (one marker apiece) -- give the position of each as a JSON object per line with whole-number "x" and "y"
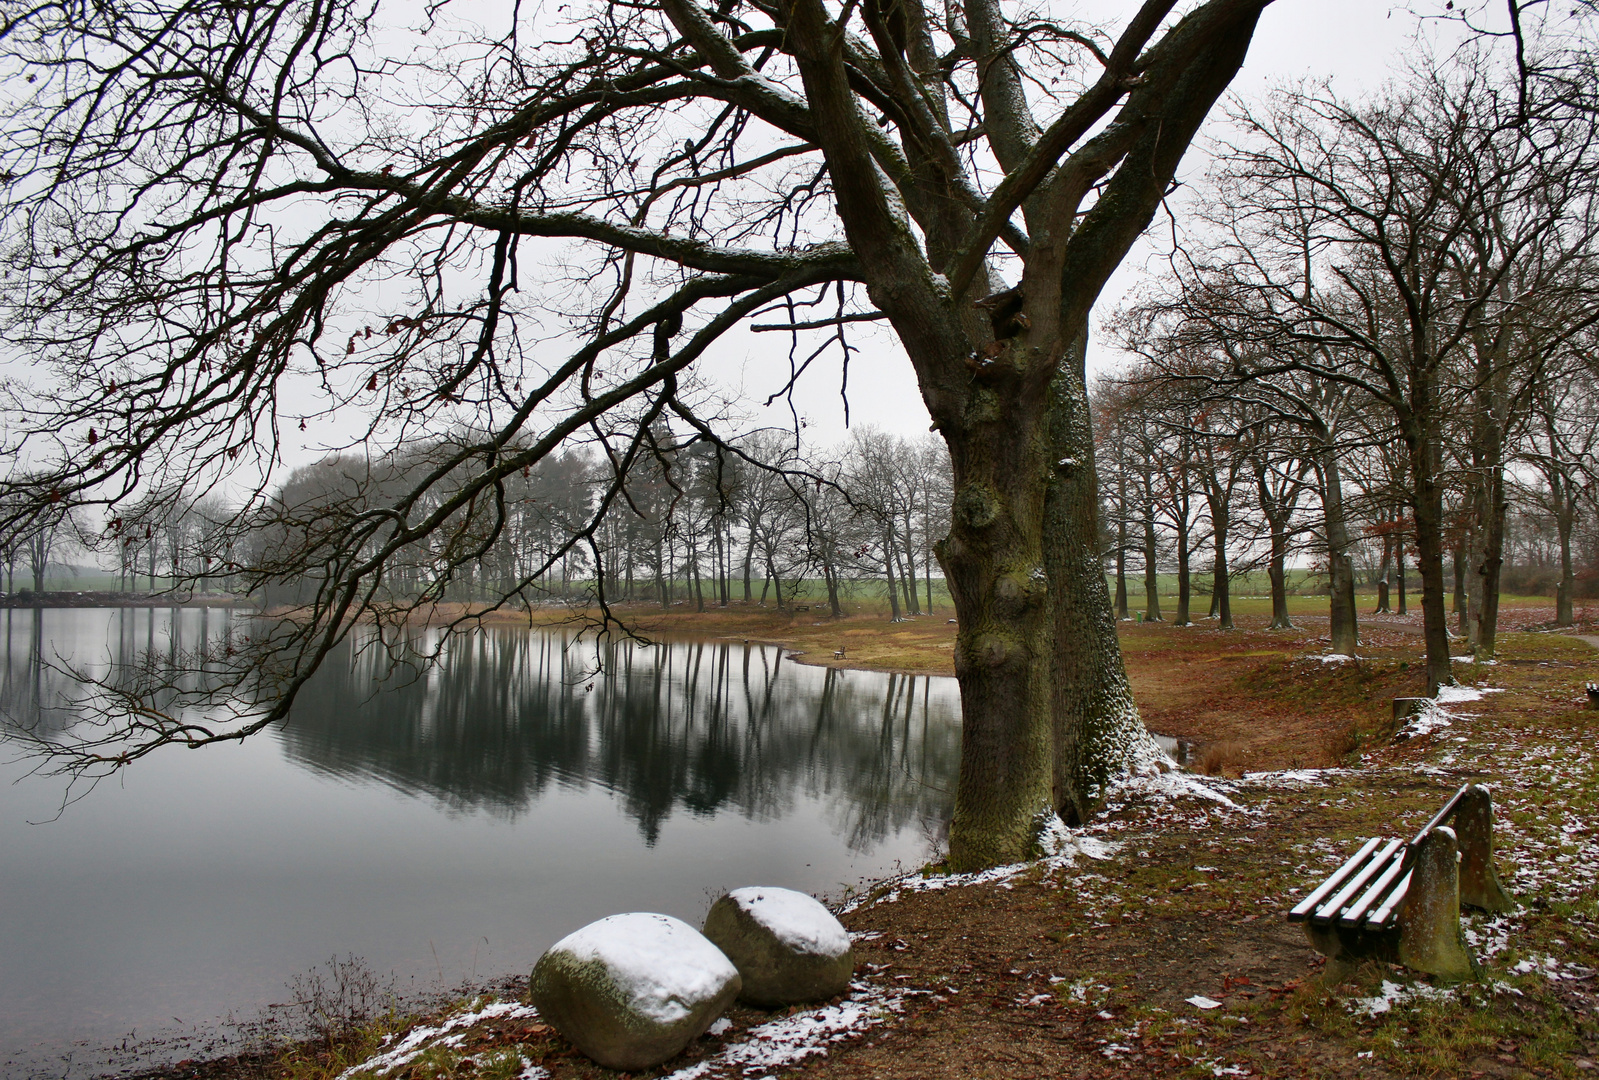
{"x": 786, "y": 945}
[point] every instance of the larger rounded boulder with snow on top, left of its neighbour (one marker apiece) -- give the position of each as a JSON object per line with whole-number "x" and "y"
{"x": 632, "y": 991}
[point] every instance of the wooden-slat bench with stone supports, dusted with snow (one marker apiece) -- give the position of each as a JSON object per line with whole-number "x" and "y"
{"x": 1402, "y": 902}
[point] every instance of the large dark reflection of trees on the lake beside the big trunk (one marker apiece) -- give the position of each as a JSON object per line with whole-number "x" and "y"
{"x": 704, "y": 727}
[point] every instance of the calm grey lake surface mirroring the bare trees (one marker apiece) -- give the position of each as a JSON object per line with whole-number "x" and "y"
{"x": 447, "y": 825}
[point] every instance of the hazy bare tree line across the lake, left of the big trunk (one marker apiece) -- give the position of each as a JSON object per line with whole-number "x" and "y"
{"x": 687, "y": 522}
